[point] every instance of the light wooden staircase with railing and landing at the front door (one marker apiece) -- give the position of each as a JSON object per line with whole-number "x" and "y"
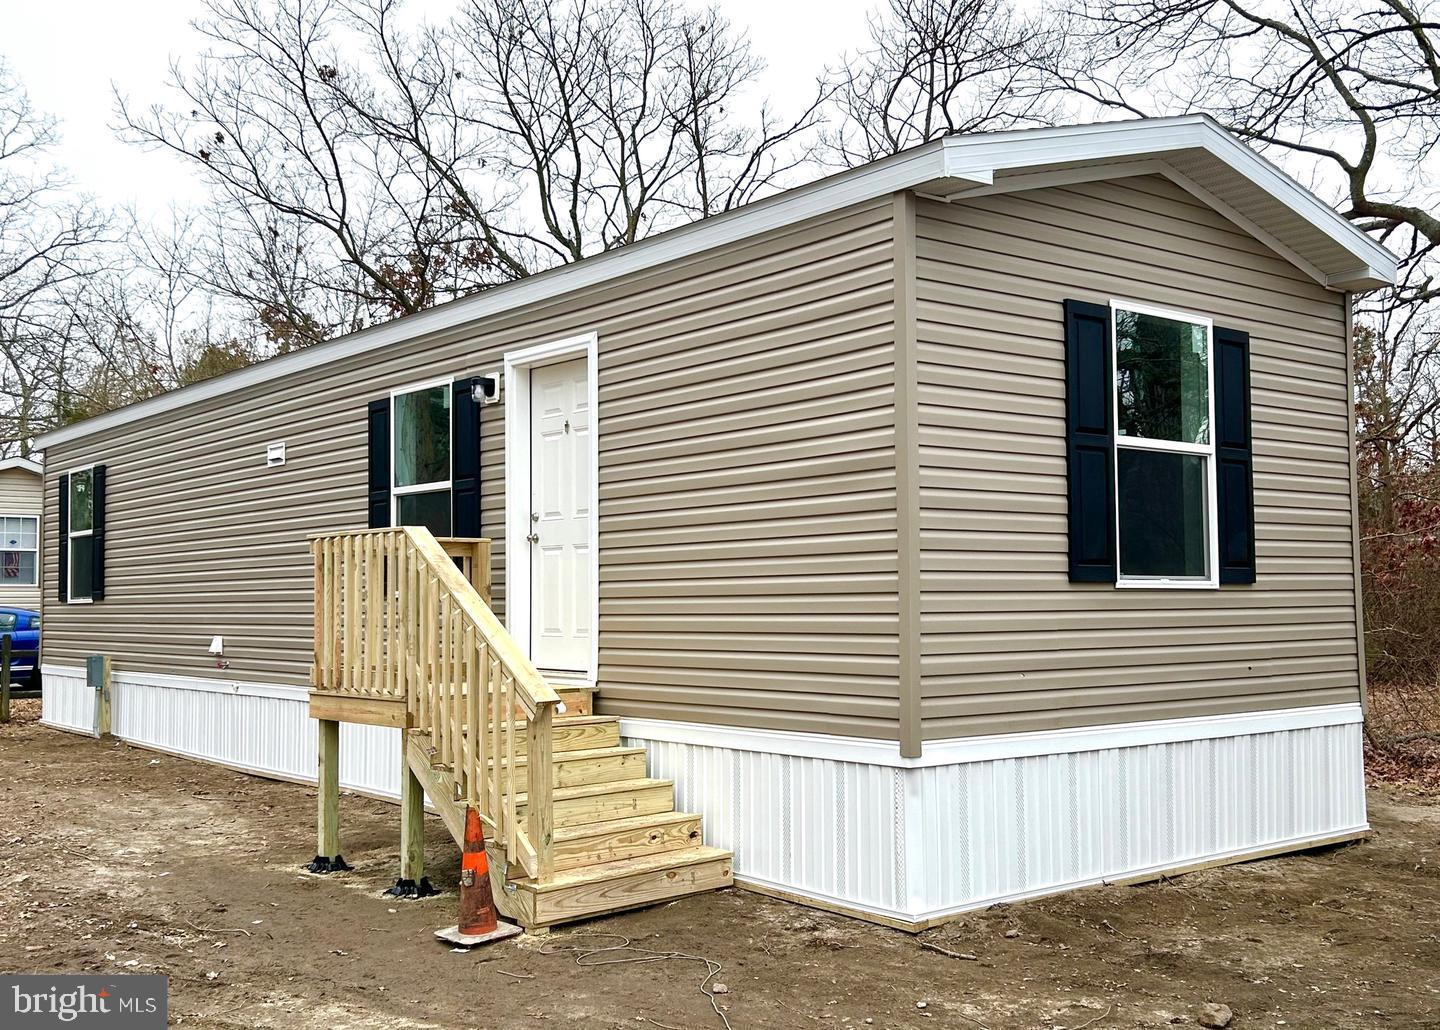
{"x": 584, "y": 833}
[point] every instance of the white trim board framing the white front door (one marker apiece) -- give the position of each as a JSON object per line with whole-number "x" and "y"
{"x": 518, "y": 483}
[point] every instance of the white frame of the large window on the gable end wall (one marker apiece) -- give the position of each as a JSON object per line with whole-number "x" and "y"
{"x": 1212, "y": 580}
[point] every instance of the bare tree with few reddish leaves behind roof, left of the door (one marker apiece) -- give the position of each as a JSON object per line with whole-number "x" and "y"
{"x": 264, "y": 119}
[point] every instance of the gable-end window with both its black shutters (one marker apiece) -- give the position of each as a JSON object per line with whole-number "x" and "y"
{"x": 1158, "y": 449}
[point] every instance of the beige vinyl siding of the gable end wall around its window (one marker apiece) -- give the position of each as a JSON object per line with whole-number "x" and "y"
{"x": 1009, "y": 643}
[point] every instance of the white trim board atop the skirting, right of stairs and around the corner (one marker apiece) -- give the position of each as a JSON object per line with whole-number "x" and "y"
{"x": 996, "y": 747}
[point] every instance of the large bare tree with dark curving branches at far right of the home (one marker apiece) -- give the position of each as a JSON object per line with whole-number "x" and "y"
{"x": 1347, "y": 96}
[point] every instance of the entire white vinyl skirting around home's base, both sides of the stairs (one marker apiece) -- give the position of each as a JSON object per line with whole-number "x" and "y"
{"x": 850, "y": 823}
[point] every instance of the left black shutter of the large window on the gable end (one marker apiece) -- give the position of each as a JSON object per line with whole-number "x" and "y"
{"x": 1091, "y": 443}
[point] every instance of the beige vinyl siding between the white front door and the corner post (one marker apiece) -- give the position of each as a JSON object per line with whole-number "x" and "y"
{"x": 748, "y": 527}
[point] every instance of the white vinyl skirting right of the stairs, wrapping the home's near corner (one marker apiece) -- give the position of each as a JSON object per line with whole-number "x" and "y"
{"x": 1020, "y": 816}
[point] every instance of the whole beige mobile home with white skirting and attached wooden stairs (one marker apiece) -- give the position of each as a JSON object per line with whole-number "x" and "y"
{"x": 961, "y": 528}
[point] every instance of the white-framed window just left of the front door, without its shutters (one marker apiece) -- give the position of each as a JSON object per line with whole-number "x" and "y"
{"x": 421, "y": 459}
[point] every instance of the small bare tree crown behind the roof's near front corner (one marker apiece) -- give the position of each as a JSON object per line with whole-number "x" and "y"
{"x": 937, "y": 68}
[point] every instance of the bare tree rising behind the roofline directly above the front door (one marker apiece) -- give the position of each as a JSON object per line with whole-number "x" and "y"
{"x": 618, "y": 113}
